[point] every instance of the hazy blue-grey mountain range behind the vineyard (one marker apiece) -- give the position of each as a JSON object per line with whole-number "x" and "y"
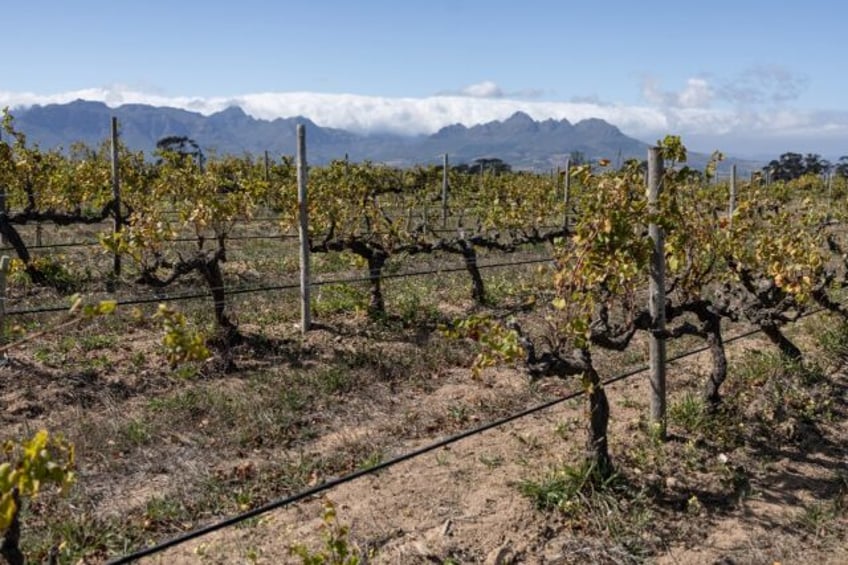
{"x": 522, "y": 142}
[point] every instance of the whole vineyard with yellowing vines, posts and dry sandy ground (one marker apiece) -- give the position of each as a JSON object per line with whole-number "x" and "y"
{"x": 204, "y": 355}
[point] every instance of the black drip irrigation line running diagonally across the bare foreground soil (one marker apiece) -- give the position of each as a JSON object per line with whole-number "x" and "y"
{"x": 338, "y": 481}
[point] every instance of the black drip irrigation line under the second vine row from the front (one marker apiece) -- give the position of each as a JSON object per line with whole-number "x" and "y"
{"x": 289, "y": 286}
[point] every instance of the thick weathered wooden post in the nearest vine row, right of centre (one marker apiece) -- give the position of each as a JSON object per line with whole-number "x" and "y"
{"x": 656, "y": 300}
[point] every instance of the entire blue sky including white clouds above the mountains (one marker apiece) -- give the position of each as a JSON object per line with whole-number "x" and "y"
{"x": 751, "y": 78}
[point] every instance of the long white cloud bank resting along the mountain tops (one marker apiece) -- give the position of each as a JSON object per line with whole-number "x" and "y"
{"x": 750, "y": 113}
